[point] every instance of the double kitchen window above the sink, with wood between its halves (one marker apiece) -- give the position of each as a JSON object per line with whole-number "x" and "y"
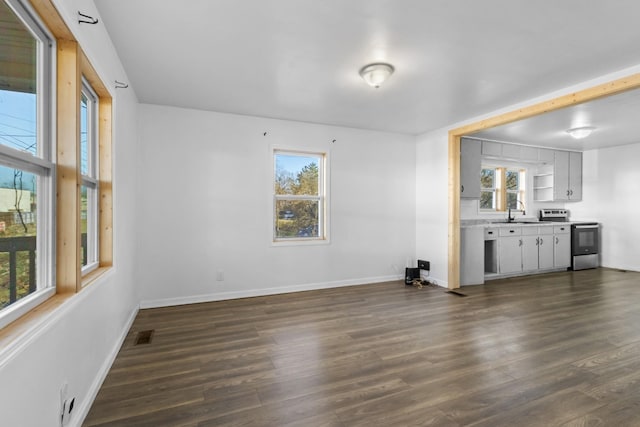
{"x": 502, "y": 188}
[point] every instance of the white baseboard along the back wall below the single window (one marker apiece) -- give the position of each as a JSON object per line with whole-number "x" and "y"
{"x": 221, "y": 296}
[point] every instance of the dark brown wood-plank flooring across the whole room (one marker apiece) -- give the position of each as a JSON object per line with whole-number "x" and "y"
{"x": 560, "y": 349}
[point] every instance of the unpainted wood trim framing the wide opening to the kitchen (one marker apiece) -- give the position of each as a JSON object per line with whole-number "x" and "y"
{"x": 613, "y": 87}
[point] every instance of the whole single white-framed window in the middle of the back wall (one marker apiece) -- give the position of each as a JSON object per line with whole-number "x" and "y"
{"x": 299, "y": 196}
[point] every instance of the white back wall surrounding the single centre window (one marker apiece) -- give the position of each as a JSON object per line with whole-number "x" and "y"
{"x": 205, "y": 200}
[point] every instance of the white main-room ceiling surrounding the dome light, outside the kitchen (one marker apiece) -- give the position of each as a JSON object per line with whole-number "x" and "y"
{"x": 299, "y": 59}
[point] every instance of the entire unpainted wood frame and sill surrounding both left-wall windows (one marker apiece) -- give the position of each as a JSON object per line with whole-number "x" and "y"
{"x": 71, "y": 64}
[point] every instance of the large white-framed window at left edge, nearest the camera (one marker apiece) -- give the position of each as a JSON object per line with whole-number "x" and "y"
{"x": 26, "y": 166}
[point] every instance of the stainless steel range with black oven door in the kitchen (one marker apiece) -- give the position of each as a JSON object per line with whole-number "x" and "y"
{"x": 585, "y": 239}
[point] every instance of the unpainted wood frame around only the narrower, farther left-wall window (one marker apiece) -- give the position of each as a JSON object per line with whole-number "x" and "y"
{"x": 73, "y": 65}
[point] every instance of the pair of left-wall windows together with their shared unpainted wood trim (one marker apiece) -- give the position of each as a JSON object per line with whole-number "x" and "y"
{"x": 55, "y": 187}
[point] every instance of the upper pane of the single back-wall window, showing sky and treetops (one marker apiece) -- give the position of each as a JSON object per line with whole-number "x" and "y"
{"x": 297, "y": 175}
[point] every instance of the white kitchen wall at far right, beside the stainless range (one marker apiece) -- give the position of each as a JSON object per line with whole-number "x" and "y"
{"x": 611, "y": 185}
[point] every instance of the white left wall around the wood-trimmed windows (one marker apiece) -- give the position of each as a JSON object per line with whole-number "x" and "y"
{"x": 77, "y": 342}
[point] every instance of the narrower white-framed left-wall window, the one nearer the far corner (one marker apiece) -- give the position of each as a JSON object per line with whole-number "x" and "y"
{"x": 89, "y": 187}
